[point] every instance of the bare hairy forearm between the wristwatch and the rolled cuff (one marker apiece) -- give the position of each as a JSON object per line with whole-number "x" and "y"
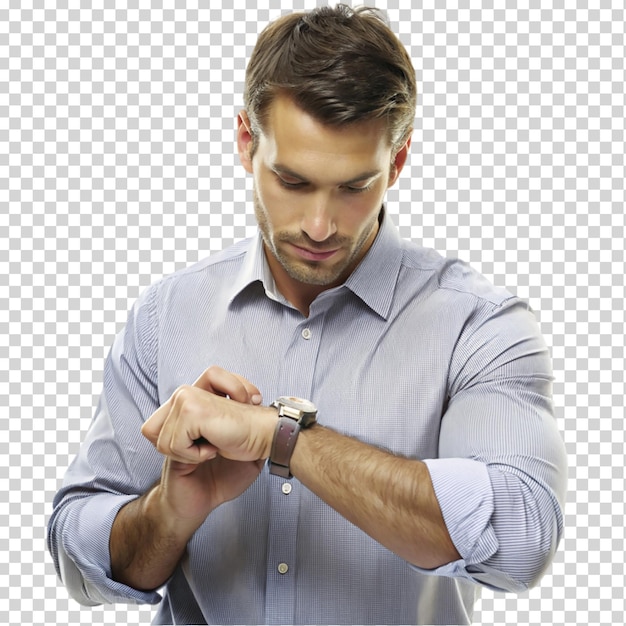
{"x": 390, "y": 498}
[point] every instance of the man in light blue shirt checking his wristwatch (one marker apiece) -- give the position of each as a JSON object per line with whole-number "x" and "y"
{"x": 409, "y": 399}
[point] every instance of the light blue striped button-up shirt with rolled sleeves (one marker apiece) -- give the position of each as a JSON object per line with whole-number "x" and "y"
{"x": 415, "y": 353}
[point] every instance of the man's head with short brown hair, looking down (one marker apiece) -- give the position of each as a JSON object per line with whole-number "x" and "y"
{"x": 331, "y": 100}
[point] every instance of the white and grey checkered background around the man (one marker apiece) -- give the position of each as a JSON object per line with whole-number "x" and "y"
{"x": 117, "y": 166}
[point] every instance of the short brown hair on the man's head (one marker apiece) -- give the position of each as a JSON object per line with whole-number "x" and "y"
{"x": 340, "y": 65}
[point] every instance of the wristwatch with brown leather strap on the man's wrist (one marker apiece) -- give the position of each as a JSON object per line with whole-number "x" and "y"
{"x": 293, "y": 414}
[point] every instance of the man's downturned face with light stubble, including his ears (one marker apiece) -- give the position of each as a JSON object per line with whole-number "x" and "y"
{"x": 318, "y": 192}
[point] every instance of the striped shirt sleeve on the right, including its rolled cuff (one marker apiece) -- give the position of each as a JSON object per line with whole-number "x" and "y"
{"x": 501, "y": 472}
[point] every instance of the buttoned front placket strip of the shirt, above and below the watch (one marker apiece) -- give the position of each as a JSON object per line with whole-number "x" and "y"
{"x": 282, "y": 566}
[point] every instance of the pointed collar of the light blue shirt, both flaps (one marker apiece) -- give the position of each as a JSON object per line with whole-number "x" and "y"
{"x": 373, "y": 281}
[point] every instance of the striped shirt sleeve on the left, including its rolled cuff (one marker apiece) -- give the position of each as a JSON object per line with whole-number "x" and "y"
{"x": 115, "y": 464}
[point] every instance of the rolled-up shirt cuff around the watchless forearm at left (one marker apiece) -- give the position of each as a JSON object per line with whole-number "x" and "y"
{"x": 85, "y": 559}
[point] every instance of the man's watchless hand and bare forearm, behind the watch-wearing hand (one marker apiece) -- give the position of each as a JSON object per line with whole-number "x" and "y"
{"x": 150, "y": 534}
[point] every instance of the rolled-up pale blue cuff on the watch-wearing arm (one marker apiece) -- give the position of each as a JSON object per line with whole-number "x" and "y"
{"x": 465, "y": 495}
